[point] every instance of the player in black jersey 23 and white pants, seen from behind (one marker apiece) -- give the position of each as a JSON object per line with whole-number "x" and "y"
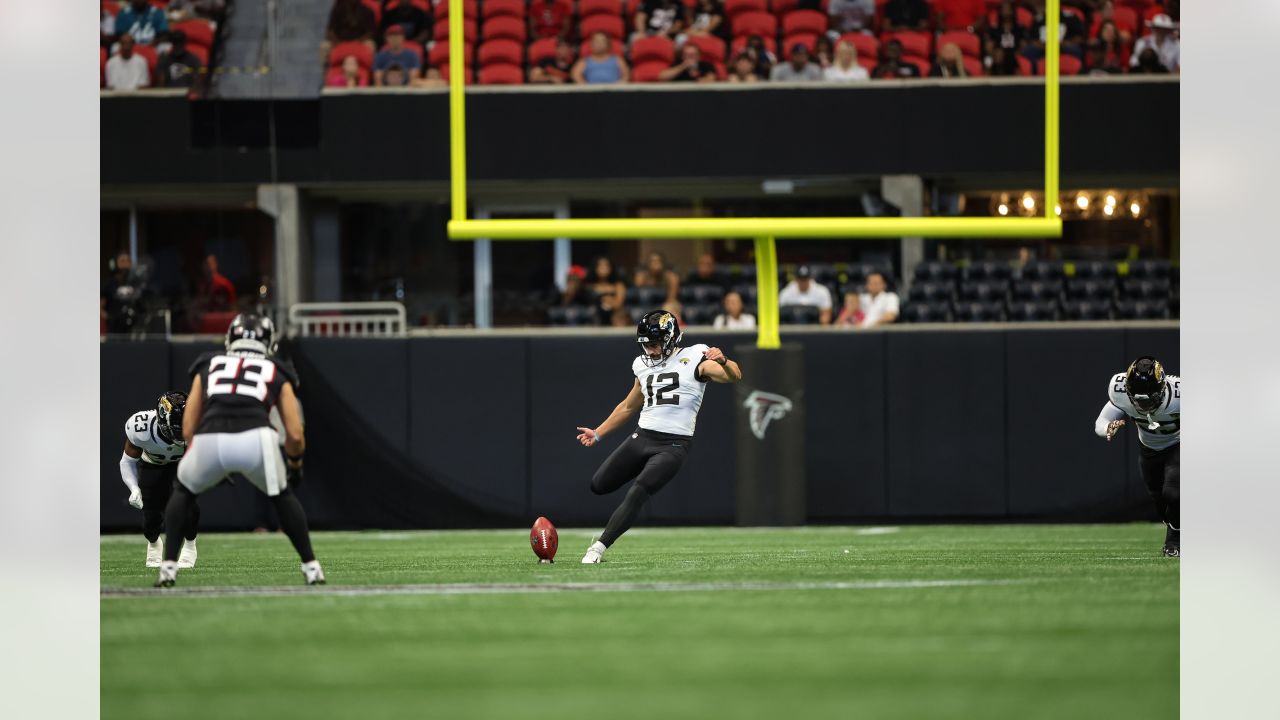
{"x": 228, "y": 431}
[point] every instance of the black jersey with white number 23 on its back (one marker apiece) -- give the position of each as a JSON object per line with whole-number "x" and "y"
{"x": 239, "y": 391}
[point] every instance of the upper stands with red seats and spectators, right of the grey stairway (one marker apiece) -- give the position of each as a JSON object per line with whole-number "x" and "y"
{"x": 404, "y": 43}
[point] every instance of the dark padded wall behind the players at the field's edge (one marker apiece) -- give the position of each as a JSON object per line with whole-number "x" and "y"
{"x": 935, "y": 425}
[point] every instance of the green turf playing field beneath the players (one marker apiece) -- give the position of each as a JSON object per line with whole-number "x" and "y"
{"x": 1021, "y": 622}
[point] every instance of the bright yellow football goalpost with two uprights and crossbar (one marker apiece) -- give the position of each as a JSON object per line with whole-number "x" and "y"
{"x": 764, "y": 231}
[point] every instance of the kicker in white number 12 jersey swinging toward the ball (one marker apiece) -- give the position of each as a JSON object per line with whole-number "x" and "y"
{"x": 668, "y": 391}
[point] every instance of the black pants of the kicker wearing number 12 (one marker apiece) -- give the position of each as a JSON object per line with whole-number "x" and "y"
{"x": 650, "y": 458}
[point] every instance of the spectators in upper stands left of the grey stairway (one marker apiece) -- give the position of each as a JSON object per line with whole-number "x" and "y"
{"x": 157, "y": 43}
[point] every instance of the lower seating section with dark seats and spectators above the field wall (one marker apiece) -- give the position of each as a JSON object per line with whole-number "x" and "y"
{"x": 862, "y": 295}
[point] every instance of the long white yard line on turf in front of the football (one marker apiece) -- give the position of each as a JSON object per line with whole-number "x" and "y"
{"x": 524, "y": 589}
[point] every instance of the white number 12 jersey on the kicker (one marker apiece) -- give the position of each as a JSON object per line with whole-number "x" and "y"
{"x": 673, "y": 394}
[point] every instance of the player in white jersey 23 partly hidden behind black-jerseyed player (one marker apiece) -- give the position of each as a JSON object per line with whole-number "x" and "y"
{"x": 153, "y": 448}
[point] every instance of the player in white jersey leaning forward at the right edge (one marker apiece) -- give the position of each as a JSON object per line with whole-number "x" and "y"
{"x": 1154, "y": 402}
